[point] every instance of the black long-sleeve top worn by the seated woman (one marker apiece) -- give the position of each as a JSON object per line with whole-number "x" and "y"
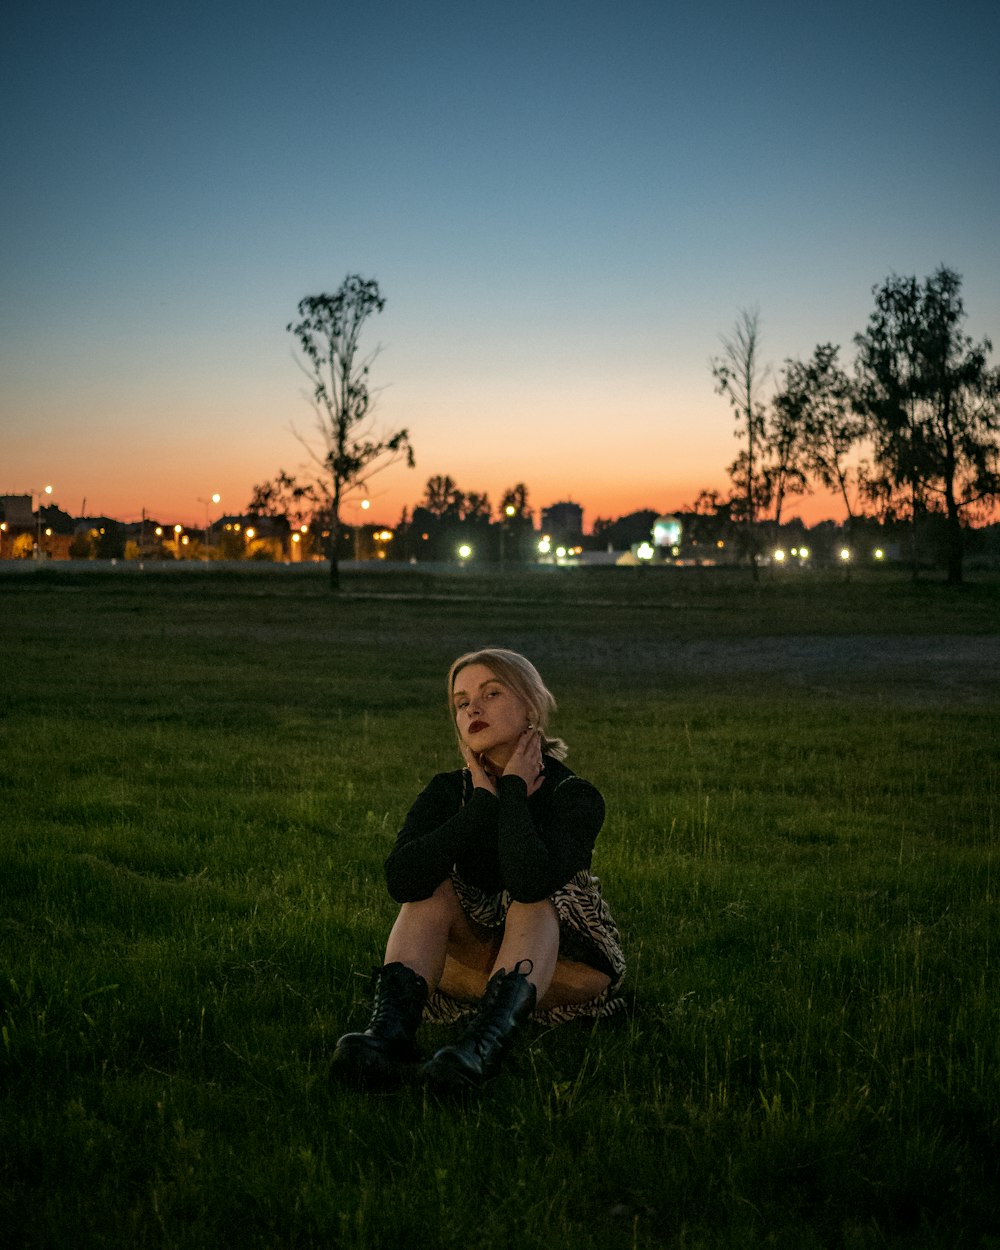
{"x": 531, "y": 847}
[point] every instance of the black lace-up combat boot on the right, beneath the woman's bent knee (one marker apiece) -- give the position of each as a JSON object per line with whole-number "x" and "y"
{"x": 508, "y": 1003}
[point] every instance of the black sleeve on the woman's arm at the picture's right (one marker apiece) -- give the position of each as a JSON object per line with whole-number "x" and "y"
{"x": 537, "y": 861}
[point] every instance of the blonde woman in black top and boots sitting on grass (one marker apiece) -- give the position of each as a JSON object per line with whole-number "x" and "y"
{"x": 501, "y": 918}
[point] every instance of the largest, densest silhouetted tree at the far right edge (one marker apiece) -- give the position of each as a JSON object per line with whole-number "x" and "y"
{"x": 932, "y": 402}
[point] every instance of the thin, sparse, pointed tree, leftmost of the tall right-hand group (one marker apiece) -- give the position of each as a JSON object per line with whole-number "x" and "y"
{"x": 739, "y": 377}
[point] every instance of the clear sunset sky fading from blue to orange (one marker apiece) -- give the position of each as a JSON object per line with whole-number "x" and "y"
{"x": 566, "y": 204}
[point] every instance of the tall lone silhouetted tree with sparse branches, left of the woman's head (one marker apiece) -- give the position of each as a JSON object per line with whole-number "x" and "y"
{"x": 329, "y": 332}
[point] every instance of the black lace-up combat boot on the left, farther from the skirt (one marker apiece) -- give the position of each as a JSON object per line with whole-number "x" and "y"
{"x": 383, "y": 1052}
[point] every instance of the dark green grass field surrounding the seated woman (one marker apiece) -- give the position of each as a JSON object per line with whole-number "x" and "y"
{"x": 201, "y": 777}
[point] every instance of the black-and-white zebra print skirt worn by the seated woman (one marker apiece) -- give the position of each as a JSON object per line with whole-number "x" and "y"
{"x": 588, "y": 934}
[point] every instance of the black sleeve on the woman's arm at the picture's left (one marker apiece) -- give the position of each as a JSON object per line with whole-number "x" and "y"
{"x": 438, "y": 828}
